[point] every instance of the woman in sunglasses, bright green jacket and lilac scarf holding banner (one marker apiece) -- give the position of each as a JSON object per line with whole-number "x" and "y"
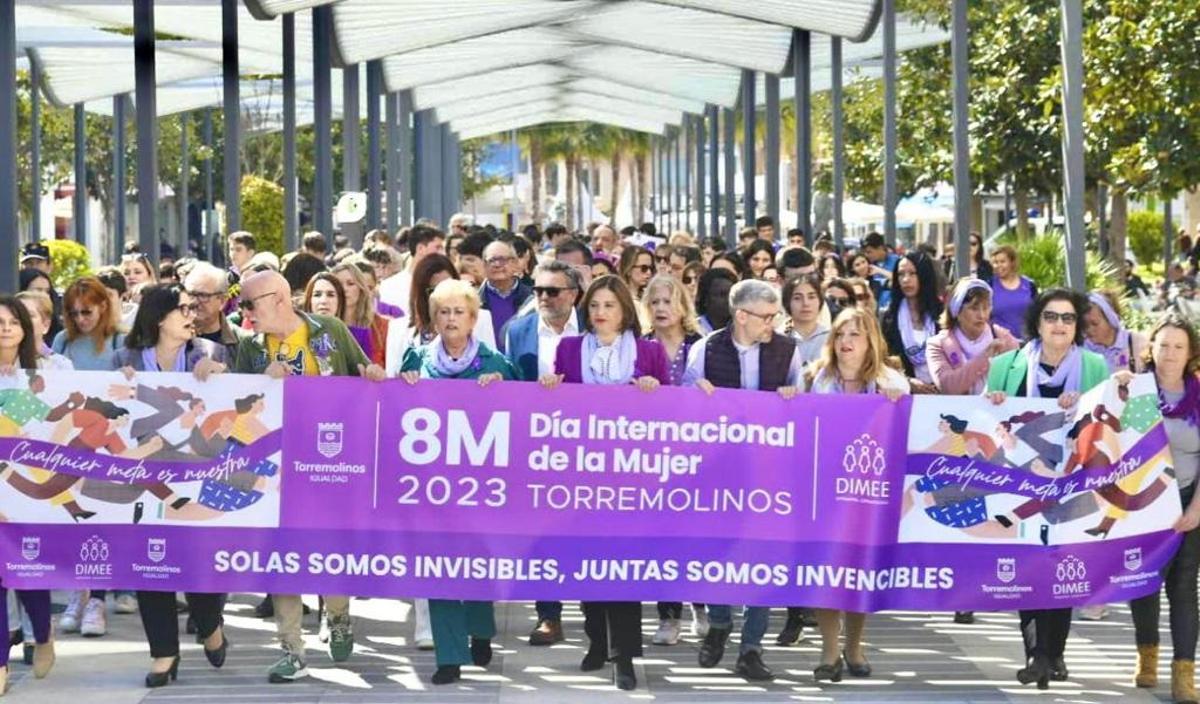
{"x": 1052, "y": 365}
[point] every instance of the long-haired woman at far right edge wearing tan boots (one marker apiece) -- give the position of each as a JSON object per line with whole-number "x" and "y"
{"x": 1174, "y": 357}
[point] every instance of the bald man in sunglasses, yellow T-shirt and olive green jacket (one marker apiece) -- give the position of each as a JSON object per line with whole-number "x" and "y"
{"x": 290, "y": 342}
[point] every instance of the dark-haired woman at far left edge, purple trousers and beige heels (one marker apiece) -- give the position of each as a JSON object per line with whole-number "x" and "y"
{"x": 20, "y": 352}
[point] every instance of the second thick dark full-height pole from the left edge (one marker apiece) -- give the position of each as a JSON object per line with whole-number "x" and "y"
{"x": 148, "y": 128}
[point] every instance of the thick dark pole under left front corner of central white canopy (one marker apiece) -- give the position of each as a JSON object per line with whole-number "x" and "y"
{"x": 323, "y": 100}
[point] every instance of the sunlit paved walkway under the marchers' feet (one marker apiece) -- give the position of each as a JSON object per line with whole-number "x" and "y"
{"x": 916, "y": 657}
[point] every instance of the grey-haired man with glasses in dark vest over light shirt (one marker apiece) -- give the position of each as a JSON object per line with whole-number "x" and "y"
{"x": 748, "y": 354}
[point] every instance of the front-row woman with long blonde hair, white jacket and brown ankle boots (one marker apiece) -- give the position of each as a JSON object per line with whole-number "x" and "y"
{"x": 854, "y": 362}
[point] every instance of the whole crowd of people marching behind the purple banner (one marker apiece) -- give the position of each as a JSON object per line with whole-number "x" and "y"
{"x": 781, "y": 312}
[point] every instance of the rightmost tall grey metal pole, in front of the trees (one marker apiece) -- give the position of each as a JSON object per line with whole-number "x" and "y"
{"x": 1073, "y": 139}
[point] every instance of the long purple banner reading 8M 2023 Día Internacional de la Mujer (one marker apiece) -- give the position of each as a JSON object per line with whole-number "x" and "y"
{"x": 443, "y": 489}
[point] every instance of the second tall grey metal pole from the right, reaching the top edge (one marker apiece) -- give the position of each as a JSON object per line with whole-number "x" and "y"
{"x": 959, "y": 47}
